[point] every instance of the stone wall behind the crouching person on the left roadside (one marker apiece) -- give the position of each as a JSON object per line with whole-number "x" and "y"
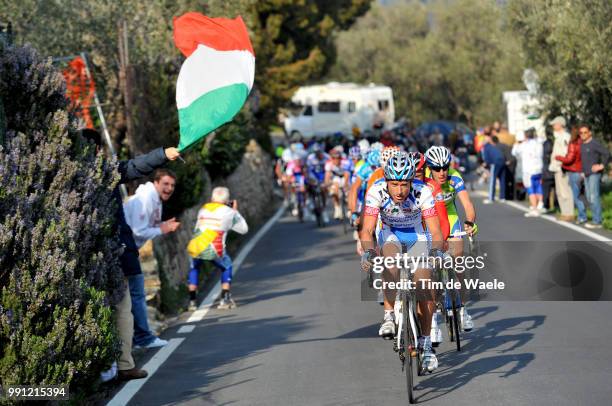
{"x": 251, "y": 184}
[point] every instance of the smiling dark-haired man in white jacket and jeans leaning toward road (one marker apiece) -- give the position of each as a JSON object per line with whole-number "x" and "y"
{"x": 143, "y": 213}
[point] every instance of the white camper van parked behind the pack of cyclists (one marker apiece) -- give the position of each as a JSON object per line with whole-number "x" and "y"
{"x": 340, "y": 107}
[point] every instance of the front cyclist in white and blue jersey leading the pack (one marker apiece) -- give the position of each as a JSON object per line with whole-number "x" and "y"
{"x": 402, "y": 203}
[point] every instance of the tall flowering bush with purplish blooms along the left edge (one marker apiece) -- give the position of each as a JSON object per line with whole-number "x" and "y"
{"x": 59, "y": 272}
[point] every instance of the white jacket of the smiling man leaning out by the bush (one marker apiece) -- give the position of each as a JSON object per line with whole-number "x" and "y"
{"x": 143, "y": 213}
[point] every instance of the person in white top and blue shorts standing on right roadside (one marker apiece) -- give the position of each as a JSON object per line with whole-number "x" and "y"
{"x": 531, "y": 152}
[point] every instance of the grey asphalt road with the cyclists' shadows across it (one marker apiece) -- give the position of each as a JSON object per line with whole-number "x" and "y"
{"x": 302, "y": 336}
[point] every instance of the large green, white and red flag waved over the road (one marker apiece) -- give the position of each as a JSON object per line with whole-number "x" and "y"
{"x": 217, "y": 75}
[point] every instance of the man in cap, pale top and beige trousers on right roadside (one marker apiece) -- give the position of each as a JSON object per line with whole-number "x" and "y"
{"x": 562, "y": 186}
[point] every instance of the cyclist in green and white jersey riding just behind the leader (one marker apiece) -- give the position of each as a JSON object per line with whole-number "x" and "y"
{"x": 451, "y": 186}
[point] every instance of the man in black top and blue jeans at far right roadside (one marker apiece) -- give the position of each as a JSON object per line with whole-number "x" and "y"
{"x": 595, "y": 157}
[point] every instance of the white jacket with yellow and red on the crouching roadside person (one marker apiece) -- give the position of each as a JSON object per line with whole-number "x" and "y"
{"x": 220, "y": 217}
